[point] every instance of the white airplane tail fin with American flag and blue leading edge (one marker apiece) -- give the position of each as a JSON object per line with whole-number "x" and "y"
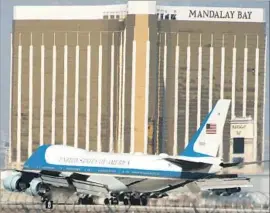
{"x": 208, "y": 138}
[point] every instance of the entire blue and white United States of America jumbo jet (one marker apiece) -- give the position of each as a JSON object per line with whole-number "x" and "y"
{"x": 110, "y": 178}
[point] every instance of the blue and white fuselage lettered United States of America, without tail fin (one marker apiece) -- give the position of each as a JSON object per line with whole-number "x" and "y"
{"x": 69, "y": 159}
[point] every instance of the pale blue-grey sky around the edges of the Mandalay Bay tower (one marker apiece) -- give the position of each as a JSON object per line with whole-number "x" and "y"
{"x": 6, "y": 13}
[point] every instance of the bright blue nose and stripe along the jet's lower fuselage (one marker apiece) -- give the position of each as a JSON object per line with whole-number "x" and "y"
{"x": 37, "y": 162}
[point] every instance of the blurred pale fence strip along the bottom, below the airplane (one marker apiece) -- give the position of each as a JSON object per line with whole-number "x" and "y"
{"x": 180, "y": 202}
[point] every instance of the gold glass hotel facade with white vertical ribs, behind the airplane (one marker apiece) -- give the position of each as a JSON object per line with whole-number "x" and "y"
{"x": 136, "y": 84}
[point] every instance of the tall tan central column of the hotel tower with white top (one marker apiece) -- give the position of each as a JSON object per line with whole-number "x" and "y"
{"x": 142, "y": 15}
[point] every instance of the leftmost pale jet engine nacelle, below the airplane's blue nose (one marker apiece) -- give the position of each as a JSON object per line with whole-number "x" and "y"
{"x": 12, "y": 183}
